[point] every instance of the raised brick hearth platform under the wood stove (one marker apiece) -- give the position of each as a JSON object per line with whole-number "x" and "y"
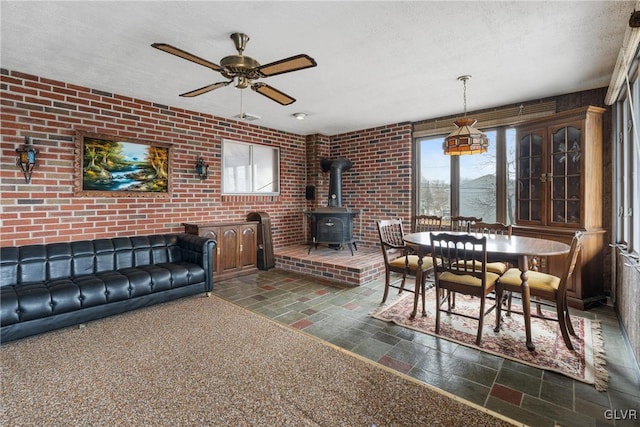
{"x": 364, "y": 266}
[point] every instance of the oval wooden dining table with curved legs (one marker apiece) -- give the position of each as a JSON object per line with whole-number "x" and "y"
{"x": 517, "y": 249}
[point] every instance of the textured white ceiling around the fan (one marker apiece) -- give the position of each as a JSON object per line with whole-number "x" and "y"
{"x": 379, "y": 62}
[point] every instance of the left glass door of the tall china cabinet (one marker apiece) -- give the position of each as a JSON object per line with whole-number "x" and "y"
{"x": 529, "y": 173}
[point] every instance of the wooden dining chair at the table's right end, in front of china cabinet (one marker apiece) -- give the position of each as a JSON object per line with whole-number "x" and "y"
{"x": 546, "y": 288}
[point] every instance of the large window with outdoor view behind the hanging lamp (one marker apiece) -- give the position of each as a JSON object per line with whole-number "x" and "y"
{"x": 481, "y": 185}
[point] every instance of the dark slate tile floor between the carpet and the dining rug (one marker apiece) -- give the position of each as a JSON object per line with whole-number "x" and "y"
{"x": 340, "y": 315}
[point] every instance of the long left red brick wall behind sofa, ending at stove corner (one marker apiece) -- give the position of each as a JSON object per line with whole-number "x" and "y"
{"x": 47, "y": 210}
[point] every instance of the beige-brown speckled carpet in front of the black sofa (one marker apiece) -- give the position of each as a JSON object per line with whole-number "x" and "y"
{"x": 204, "y": 361}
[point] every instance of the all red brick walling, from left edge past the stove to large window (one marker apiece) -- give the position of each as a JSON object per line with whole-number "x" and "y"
{"x": 46, "y": 210}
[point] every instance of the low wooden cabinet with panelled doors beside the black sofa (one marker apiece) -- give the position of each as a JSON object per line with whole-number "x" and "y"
{"x": 236, "y": 250}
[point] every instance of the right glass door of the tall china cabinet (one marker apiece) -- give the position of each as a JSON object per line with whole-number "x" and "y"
{"x": 563, "y": 176}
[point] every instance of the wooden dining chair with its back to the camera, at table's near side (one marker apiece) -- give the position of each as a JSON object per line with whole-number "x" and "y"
{"x": 457, "y": 271}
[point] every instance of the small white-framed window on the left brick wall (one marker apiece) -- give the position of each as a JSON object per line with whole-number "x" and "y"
{"x": 250, "y": 169}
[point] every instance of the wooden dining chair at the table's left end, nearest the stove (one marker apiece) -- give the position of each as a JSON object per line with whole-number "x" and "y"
{"x": 398, "y": 257}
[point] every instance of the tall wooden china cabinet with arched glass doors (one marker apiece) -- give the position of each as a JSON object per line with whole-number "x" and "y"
{"x": 559, "y": 190}
